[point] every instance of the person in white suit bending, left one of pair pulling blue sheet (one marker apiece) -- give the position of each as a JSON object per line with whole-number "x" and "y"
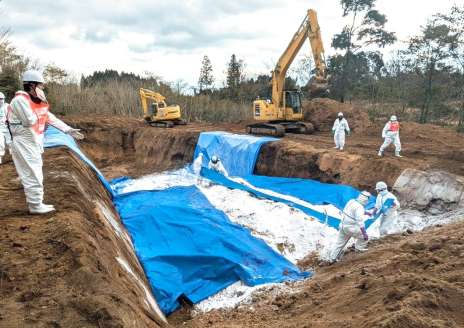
{"x": 352, "y": 226}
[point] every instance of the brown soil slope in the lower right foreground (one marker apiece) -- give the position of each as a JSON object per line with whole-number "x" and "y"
{"x": 412, "y": 281}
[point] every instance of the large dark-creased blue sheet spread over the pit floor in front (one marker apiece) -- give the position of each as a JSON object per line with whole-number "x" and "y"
{"x": 189, "y": 248}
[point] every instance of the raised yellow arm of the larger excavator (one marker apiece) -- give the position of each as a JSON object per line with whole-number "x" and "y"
{"x": 310, "y": 29}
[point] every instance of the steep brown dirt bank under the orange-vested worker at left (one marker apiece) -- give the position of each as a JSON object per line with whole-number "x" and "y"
{"x": 73, "y": 268}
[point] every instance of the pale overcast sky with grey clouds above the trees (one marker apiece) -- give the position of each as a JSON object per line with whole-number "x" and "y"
{"x": 170, "y": 37}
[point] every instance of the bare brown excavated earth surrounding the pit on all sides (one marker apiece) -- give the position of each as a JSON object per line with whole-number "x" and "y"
{"x": 60, "y": 270}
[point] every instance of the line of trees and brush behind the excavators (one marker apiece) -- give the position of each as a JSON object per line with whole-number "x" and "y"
{"x": 423, "y": 80}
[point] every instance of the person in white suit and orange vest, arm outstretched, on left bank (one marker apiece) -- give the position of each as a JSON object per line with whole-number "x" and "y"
{"x": 27, "y": 117}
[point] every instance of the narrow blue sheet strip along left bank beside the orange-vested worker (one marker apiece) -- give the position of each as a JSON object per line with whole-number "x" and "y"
{"x": 57, "y": 138}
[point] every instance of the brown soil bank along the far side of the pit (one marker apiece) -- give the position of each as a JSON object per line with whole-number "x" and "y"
{"x": 122, "y": 146}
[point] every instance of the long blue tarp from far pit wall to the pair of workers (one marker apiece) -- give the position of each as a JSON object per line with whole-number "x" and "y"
{"x": 239, "y": 153}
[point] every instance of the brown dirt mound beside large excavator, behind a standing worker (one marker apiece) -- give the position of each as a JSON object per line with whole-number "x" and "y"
{"x": 322, "y": 112}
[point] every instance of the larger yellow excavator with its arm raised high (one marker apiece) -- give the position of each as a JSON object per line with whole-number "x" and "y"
{"x": 283, "y": 113}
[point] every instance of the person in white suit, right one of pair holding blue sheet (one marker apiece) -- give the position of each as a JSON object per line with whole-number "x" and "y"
{"x": 388, "y": 205}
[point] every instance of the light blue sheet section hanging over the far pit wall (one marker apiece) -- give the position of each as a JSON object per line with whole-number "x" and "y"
{"x": 238, "y": 153}
